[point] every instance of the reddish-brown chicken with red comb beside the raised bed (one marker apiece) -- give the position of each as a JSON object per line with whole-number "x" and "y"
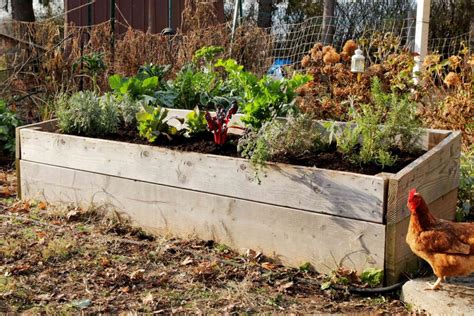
{"x": 447, "y": 246}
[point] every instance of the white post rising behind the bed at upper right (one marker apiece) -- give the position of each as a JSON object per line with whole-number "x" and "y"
{"x": 421, "y": 34}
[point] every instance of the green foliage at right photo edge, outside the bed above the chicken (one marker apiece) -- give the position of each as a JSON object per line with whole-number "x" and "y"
{"x": 465, "y": 207}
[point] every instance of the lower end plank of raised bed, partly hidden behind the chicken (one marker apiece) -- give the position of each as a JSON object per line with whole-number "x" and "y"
{"x": 399, "y": 257}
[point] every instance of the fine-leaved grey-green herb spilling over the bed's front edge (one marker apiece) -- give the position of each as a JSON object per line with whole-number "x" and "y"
{"x": 295, "y": 137}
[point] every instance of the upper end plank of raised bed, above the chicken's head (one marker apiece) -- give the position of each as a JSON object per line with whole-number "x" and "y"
{"x": 433, "y": 175}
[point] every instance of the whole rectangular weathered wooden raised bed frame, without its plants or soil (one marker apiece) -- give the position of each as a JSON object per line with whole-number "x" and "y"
{"x": 296, "y": 215}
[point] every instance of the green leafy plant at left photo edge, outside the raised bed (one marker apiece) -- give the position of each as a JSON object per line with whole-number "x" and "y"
{"x": 8, "y": 123}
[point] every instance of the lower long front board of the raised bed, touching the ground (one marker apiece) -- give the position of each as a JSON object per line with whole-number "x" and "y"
{"x": 293, "y": 237}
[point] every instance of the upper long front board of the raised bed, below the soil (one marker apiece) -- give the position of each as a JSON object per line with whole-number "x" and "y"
{"x": 324, "y": 191}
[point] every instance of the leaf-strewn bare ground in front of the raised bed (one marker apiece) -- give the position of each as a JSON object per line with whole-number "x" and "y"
{"x": 63, "y": 259}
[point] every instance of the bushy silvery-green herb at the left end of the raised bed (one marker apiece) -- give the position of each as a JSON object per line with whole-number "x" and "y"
{"x": 85, "y": 113}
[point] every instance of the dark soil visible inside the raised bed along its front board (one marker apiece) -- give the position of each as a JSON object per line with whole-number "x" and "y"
{"x": 330, "y": 159}
